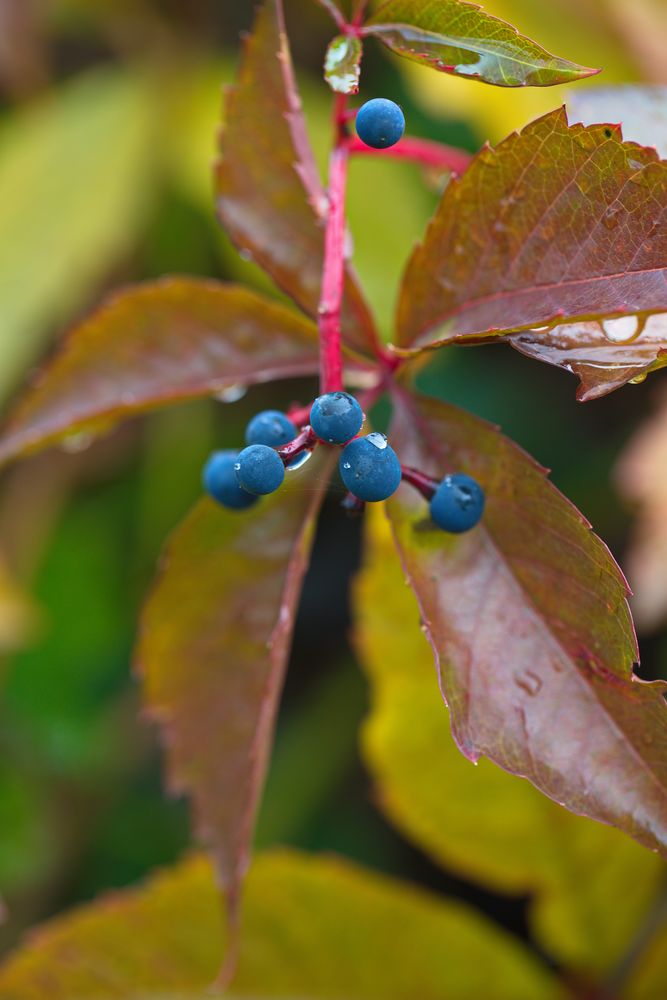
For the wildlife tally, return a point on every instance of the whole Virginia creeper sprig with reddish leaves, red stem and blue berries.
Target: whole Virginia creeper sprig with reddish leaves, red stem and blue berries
(553, 241)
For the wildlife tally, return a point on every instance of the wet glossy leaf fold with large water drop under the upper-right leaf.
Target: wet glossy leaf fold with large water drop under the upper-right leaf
(604, 356)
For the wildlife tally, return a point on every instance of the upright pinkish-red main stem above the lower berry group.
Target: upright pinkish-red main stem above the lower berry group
(331, 360)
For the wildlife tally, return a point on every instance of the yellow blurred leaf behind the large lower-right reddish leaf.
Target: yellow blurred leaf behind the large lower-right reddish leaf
(481, 822)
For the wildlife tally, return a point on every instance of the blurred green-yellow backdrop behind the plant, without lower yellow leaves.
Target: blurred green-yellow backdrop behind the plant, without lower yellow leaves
(108, 116)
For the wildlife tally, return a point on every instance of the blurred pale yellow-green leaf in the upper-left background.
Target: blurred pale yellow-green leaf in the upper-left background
(78, 166)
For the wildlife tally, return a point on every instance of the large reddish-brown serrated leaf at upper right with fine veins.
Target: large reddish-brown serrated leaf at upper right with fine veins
(557, 223)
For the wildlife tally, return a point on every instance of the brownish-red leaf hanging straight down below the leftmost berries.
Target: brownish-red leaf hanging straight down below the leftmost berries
(214, 642)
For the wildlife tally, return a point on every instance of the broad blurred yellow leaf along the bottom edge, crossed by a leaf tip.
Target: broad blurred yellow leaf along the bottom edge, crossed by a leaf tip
(313, 927)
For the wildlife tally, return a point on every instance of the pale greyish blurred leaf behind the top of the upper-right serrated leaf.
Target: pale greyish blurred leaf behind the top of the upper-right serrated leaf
(641, 110)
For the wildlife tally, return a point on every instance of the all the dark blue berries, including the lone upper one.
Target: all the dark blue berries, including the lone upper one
(369, 466)
